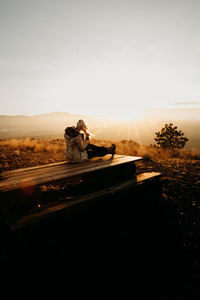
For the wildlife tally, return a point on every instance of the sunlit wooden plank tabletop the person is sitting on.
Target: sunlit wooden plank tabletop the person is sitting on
(43, 174)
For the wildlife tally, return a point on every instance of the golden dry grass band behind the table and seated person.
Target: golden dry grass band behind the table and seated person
(18, 153)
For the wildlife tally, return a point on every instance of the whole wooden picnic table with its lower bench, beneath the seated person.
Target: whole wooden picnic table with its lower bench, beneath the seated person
(109, 175)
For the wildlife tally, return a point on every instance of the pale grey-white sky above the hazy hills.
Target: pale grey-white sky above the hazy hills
(98, 56)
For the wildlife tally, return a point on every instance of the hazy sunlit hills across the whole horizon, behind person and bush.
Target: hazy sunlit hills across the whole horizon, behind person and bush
(104, 127)
